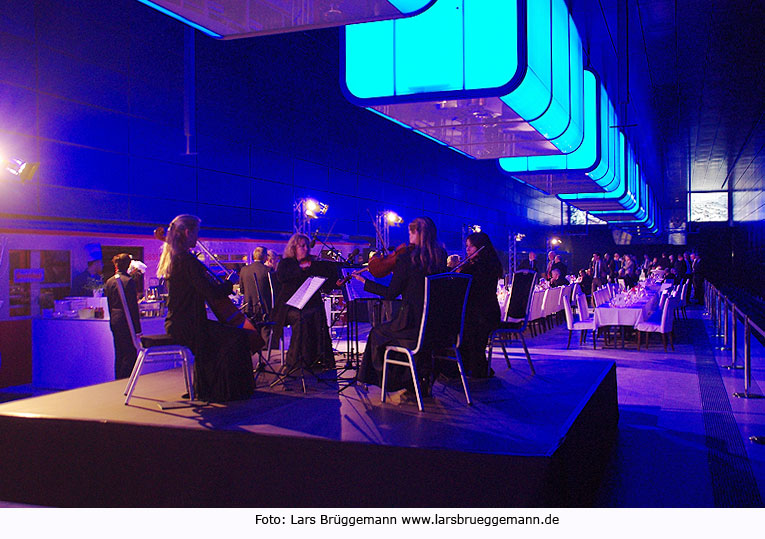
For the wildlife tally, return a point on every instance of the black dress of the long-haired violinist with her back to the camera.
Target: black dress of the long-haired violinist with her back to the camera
(409, 281)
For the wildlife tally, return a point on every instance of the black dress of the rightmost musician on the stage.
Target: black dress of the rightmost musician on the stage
(482, 316)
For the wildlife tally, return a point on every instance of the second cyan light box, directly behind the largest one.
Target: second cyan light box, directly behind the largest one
(567, 173)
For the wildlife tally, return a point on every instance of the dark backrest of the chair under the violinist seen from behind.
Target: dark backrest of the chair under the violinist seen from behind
(443, 312)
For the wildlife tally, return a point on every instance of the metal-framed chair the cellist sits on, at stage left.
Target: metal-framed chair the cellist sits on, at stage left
(155, 349)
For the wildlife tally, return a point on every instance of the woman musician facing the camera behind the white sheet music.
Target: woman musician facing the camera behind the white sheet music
(310, 343)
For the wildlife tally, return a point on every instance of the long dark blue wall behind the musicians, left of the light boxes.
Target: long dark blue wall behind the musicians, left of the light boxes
(95, 91)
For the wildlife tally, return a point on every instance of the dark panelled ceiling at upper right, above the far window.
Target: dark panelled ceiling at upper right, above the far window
(706, 85)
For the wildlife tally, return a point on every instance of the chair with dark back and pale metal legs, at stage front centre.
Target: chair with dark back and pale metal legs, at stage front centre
(443, 317)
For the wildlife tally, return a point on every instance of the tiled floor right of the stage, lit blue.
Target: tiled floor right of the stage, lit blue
(683, 438)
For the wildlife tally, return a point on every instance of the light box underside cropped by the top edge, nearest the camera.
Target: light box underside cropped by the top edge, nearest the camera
(232, 19)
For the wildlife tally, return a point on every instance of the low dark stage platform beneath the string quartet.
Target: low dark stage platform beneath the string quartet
(528, 441)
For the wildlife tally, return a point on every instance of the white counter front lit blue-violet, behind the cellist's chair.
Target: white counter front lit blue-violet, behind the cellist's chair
(70, 353)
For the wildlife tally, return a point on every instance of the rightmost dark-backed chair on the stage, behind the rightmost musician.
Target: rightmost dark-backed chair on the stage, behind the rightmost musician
(517, 316)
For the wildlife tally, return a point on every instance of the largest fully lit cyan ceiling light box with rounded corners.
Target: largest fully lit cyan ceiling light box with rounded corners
(451, 71)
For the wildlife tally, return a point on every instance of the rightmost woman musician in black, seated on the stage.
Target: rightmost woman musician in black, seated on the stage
(482, 313)
